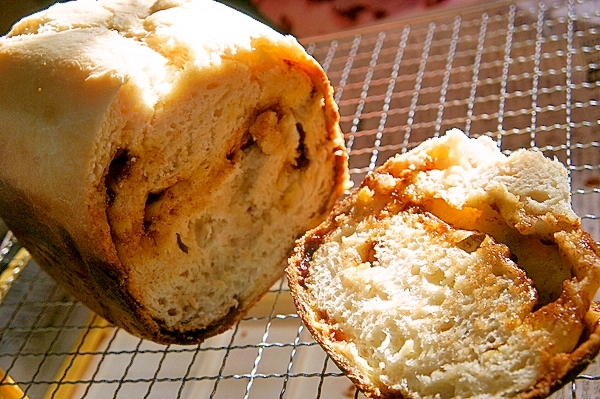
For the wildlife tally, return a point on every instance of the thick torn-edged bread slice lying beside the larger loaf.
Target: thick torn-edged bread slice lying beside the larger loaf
(453, 271)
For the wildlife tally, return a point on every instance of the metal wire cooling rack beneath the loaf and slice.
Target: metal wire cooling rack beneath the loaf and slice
(526, 73)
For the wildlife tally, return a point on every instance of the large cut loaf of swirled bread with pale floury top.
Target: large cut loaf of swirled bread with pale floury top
(160, 158)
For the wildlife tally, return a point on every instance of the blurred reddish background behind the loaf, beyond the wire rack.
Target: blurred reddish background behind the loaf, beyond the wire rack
(302, 18)
